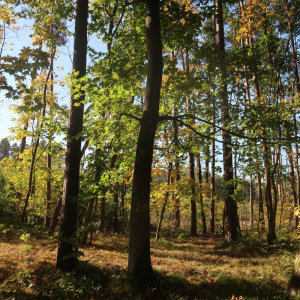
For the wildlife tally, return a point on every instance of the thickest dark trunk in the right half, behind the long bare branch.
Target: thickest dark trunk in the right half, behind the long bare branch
(230, 226)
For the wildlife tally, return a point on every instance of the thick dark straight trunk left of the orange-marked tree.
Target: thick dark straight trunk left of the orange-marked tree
(66, 256)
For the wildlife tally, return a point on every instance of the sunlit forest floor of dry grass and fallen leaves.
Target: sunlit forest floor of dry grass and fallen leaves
(202, 267)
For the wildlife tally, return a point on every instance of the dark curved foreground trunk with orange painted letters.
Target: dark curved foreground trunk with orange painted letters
(139, 263)
